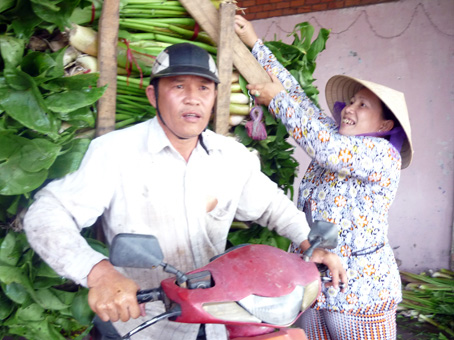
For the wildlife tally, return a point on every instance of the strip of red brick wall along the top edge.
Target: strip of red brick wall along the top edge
(262, 9)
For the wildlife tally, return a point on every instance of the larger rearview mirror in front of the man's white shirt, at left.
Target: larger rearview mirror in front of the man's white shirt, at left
(136, 251)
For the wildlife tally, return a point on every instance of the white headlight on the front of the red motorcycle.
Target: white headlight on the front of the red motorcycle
(280, 311)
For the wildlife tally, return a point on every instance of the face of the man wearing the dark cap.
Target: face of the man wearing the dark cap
(185, 103)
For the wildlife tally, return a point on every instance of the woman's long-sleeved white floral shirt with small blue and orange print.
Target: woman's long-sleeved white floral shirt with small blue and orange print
(351, 182)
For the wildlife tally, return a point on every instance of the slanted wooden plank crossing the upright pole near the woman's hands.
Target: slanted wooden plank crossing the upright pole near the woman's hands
(207, 16)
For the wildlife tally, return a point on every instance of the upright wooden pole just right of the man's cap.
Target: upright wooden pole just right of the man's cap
(225, 64)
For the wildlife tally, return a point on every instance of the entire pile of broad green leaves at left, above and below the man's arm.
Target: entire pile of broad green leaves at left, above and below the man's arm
(45, 117)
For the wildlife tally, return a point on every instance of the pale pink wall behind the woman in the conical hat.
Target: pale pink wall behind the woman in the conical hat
(407, 45)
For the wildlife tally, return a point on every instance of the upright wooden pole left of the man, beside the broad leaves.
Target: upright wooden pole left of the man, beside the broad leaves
(107, 60)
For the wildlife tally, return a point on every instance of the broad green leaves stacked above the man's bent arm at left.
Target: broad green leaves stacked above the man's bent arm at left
(43, 114)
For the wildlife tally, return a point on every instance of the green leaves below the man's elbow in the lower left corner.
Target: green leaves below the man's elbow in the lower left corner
(36, 303)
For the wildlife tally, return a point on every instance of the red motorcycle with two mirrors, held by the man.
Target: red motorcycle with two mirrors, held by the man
(256, 291)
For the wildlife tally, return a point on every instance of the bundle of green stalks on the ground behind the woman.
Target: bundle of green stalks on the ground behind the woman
(429, 297)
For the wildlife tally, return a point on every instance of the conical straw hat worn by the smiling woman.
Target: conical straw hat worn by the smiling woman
(342, 88)
